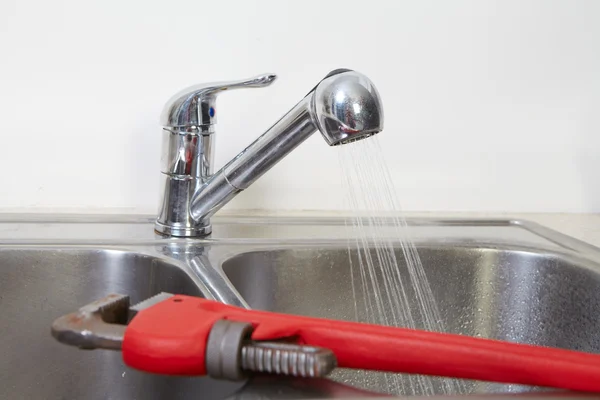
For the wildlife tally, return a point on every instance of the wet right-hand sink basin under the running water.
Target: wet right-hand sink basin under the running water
(508, 293)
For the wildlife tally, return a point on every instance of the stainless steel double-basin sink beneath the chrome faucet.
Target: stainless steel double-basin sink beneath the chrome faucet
(492, 278)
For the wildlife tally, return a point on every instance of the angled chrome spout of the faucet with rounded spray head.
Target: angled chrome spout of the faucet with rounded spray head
(344, 107)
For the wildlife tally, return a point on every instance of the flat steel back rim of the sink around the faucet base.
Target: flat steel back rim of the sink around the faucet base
(134, 230)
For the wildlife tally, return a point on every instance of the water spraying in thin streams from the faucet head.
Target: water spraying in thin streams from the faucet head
(389, 284)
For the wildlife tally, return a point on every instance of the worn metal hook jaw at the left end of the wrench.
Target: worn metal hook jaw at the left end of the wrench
(98, 325)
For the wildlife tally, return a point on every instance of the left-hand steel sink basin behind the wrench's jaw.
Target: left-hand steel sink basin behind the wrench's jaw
(39, 284)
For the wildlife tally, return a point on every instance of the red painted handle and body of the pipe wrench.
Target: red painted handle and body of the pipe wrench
(170, 338)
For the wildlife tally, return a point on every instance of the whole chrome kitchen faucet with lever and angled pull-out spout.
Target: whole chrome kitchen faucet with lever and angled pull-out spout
(345, 107)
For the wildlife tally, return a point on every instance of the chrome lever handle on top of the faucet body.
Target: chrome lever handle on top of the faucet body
(195, 105)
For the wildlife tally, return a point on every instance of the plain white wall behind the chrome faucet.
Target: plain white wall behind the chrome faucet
(490, 105)
